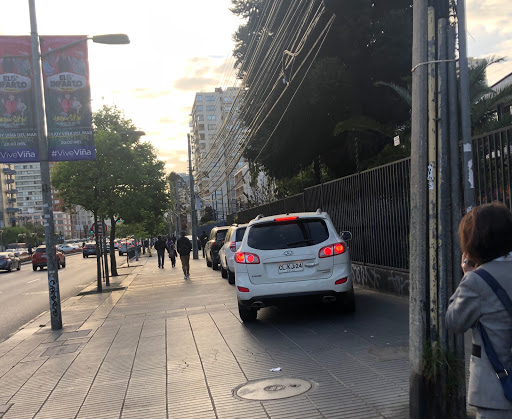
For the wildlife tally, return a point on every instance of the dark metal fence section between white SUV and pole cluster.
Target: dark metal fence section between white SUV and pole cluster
(373, 205)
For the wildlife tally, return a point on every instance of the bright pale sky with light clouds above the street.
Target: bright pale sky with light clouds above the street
(181, 47)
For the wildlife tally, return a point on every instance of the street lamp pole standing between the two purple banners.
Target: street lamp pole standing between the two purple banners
(49, 229)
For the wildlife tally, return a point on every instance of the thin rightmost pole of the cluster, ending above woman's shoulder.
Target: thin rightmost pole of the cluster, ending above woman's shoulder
(465, 113)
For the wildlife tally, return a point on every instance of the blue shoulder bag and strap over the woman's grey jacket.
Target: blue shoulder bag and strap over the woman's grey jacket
(501, 372)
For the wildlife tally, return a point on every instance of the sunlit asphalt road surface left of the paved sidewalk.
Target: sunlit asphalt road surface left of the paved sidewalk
(24, 293)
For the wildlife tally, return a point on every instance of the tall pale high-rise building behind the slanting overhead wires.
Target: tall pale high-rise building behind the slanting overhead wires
(212, 125)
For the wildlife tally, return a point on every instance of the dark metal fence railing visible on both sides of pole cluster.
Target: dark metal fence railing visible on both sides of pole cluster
(374, 205)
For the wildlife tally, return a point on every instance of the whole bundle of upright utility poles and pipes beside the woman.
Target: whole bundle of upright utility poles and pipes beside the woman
(437, 385)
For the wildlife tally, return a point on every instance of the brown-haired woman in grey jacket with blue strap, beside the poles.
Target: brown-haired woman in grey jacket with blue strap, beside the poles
(485, 235)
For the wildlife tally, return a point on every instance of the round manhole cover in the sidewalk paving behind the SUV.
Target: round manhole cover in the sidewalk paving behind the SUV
(272, 388)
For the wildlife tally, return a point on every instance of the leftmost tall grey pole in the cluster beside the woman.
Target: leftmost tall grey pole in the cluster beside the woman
(418, 230)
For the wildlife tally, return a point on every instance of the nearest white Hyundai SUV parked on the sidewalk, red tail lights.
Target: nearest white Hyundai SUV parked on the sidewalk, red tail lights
(293, 256)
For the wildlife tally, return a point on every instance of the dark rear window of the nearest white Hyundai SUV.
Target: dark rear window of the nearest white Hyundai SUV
(300, 233)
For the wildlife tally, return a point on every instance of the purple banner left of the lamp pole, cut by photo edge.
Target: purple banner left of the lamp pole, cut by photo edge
(18, 130)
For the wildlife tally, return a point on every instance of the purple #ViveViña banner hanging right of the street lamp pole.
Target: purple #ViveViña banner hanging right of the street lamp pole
(67, 98)
